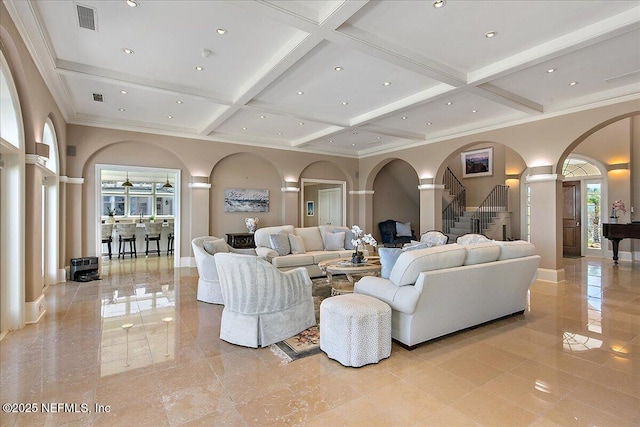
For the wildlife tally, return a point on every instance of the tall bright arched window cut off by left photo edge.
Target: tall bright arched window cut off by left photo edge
(12, 204)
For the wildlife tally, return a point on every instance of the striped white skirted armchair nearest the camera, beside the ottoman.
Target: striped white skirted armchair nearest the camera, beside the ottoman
(262, 305)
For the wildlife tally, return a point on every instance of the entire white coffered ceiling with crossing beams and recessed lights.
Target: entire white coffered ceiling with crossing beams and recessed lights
(351, 78)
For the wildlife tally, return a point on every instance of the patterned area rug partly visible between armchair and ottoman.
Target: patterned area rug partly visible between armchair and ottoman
(307, 342)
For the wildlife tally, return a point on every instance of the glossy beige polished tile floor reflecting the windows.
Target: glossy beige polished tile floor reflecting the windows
(139, 346)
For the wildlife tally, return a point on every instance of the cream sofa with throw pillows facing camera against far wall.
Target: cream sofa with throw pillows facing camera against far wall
(314, 244)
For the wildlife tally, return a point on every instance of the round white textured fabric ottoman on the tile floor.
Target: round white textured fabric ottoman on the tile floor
(355, 329)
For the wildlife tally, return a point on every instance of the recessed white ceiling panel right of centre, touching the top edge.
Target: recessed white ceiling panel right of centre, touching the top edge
(454, 35)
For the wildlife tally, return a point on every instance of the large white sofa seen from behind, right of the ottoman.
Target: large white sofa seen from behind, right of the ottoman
(443, 289)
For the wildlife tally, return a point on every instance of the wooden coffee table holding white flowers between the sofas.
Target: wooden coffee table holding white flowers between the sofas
(352, 272)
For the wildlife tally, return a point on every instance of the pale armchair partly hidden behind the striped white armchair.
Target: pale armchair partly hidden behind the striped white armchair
(204, 250)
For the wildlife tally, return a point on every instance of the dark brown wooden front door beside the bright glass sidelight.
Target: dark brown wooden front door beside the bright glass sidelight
(571, 214)
